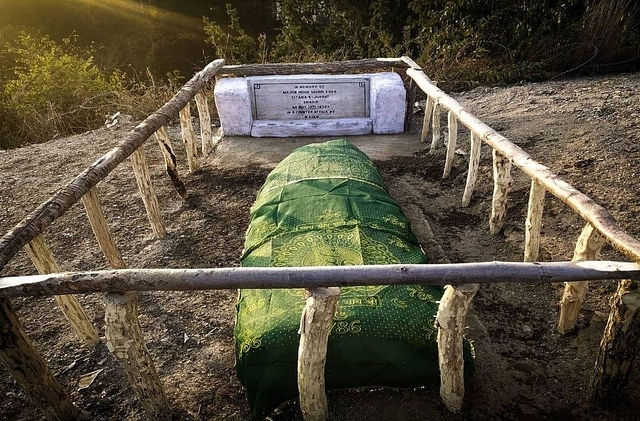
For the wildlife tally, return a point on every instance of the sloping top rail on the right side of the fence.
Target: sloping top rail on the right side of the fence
(586, 207)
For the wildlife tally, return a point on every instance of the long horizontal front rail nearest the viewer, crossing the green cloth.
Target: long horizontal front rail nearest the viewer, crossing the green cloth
(312, 277)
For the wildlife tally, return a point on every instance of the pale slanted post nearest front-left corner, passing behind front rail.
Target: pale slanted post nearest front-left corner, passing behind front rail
(43, 260)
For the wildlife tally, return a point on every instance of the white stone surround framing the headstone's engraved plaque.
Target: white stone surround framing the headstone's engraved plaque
(386, 108)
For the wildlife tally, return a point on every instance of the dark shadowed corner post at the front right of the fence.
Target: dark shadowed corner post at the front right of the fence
(619, 346)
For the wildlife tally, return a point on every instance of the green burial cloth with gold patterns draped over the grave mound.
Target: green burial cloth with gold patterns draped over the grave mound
(326, 205)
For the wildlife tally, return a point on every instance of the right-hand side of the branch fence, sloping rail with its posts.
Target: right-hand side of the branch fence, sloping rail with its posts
(620, 344)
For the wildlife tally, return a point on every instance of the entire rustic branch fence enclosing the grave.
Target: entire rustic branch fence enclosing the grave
(124, 336)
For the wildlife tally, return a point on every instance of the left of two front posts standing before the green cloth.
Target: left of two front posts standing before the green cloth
(312, 352)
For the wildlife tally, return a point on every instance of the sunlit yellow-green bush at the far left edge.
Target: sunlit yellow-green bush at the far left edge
(54, 90)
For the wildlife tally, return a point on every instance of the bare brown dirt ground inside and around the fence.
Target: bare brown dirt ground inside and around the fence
(587, 130)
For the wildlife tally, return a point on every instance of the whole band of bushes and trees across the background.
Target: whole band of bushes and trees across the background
(50, 88)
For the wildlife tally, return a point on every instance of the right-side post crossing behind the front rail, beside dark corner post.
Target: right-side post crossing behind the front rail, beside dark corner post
(587, 248)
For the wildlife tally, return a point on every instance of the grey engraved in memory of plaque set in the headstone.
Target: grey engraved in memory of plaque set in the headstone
(309, 99)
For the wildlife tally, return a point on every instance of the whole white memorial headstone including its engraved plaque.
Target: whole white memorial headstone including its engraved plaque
(311, 105)
